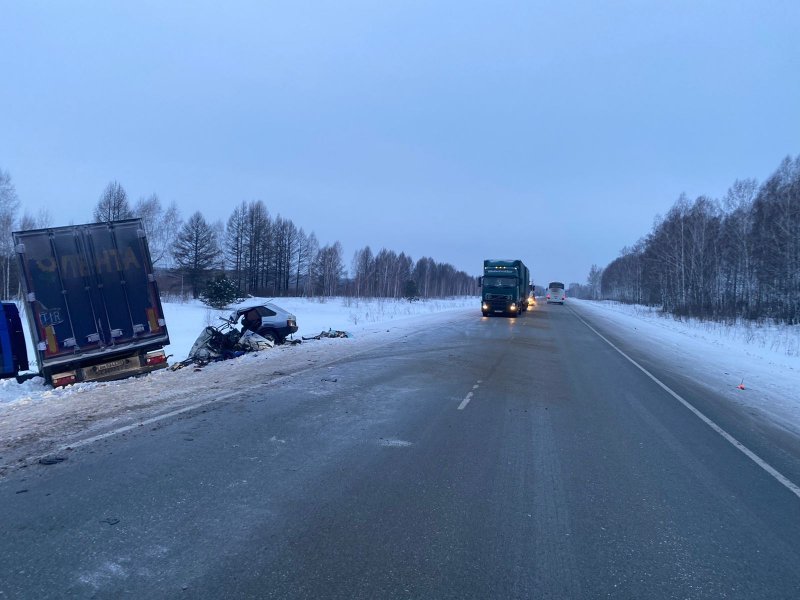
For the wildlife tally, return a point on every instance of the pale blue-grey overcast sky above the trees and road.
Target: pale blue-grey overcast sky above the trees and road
(549, 131)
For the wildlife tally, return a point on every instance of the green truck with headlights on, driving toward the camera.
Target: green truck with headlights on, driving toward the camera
(504, 287)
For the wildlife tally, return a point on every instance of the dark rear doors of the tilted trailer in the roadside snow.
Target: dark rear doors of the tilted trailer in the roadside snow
(90, 292)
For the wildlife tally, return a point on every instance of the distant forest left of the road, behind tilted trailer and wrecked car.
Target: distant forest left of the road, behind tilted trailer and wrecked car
(256, 253)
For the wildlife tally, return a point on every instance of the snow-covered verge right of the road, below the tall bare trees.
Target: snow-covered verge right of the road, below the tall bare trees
(764, 360)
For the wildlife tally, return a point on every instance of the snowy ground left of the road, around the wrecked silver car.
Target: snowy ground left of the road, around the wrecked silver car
(36, 419)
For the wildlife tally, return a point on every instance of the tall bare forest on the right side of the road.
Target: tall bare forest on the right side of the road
(734, 258)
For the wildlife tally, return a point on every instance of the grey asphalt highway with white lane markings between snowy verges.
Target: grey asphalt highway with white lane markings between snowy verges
(493, 458)
